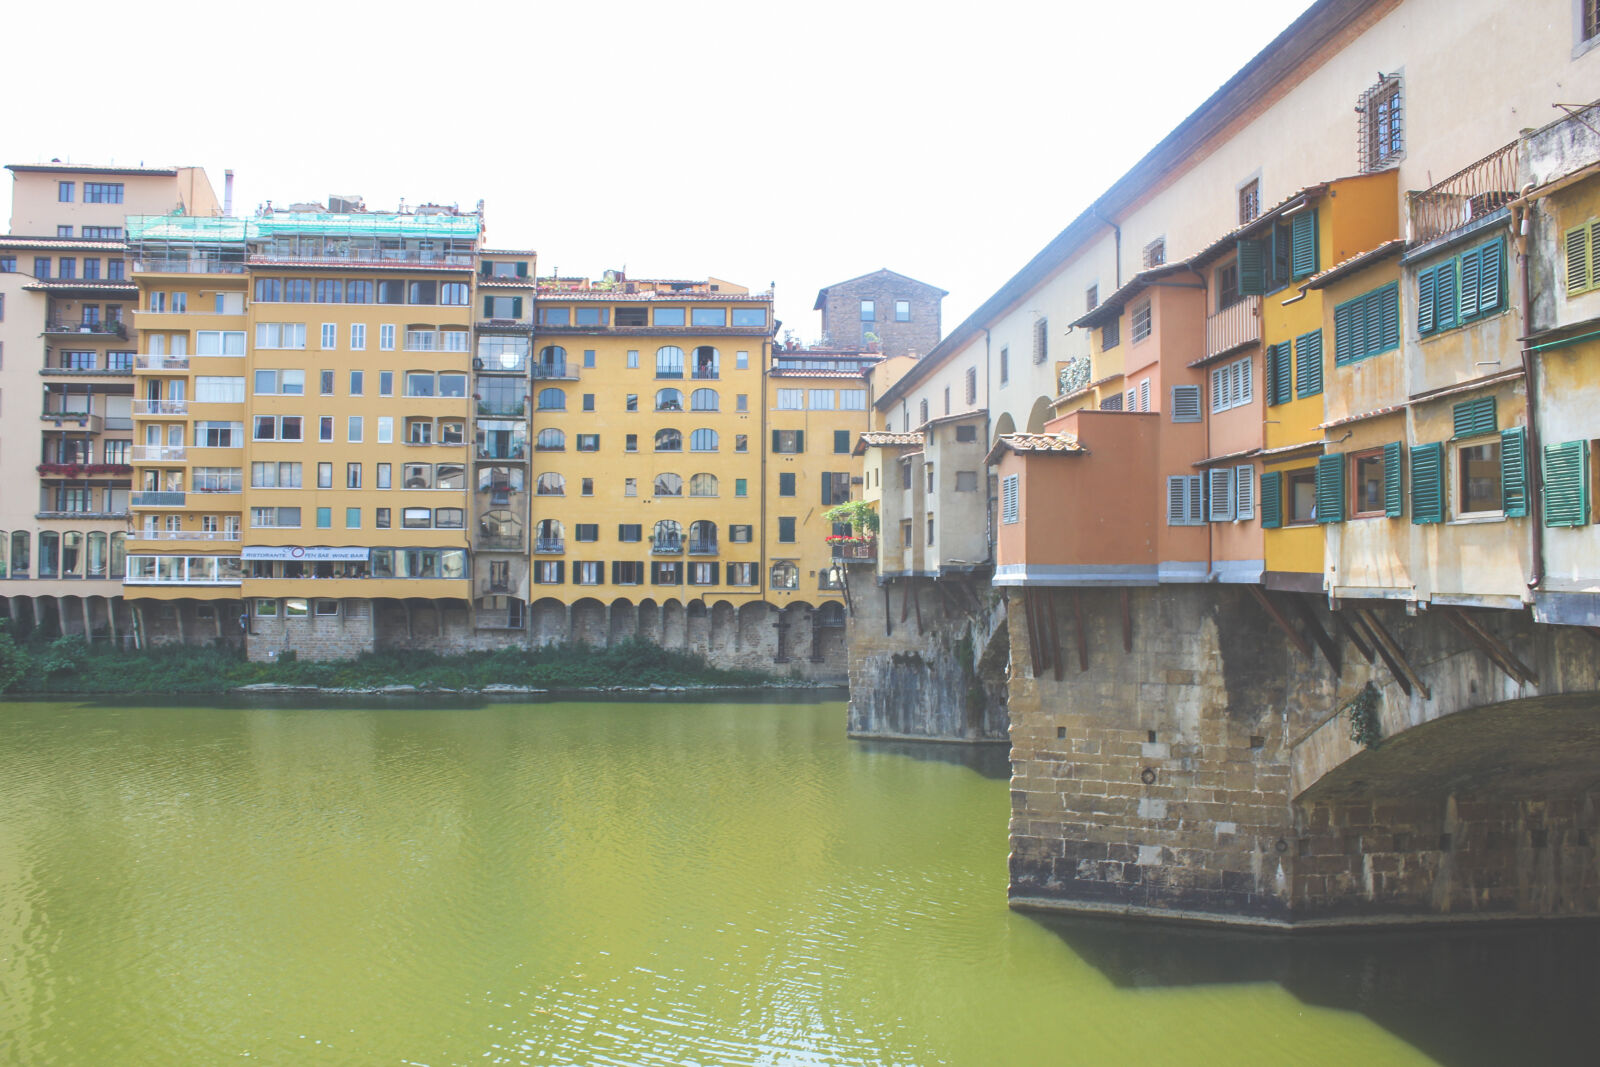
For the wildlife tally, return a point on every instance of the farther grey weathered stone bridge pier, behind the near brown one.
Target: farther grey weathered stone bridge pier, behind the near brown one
(940, 673)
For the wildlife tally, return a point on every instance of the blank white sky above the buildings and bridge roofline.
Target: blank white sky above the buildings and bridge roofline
(799, 145)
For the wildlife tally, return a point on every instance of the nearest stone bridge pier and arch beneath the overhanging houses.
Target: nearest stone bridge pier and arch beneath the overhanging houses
(1186, 751)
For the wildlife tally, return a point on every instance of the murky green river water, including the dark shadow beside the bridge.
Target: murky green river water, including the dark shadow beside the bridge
(642, 884)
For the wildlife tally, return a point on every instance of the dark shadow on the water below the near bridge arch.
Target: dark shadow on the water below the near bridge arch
(1465, 996)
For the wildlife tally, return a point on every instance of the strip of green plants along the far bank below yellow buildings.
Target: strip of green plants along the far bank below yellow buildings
(70, 666)
